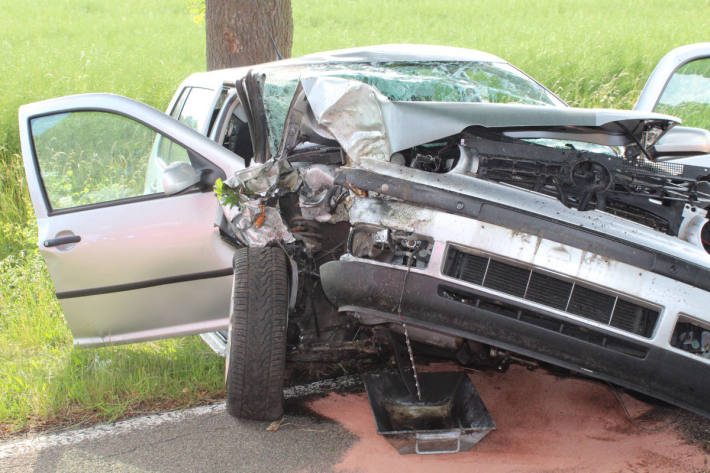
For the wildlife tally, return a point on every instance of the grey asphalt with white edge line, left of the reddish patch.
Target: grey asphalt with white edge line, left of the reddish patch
(203, 439)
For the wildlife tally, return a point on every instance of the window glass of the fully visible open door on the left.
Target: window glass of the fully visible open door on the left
(89, 157)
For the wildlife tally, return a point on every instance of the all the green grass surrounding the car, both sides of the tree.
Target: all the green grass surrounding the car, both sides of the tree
(592, 53)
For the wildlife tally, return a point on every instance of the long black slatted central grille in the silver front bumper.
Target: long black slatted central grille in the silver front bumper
(551, 291)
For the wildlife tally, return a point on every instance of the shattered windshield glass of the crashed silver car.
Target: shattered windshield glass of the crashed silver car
(487, 82)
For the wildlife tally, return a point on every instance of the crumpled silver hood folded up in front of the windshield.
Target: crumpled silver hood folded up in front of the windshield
(369, 125)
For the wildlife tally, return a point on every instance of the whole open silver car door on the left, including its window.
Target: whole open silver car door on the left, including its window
(126, 217)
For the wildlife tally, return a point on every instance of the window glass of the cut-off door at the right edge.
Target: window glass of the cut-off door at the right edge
(687, 94)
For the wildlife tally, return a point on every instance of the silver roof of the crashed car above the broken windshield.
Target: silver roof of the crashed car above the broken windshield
(377, 53)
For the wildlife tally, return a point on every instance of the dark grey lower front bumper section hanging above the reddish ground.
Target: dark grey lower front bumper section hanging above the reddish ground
(463, 310)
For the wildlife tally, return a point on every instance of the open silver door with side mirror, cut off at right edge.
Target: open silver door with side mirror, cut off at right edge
(680, 86)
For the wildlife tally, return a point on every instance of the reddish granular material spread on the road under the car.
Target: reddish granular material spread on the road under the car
(545, 424)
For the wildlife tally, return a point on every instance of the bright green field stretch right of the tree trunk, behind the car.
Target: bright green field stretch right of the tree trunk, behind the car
(592, 53)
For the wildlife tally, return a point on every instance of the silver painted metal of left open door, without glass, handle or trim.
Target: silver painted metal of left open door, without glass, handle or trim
(133, 242)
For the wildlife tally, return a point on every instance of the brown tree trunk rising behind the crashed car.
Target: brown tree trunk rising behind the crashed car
(239, 32)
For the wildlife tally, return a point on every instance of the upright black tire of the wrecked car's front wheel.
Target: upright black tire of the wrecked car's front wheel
(256, 346)
